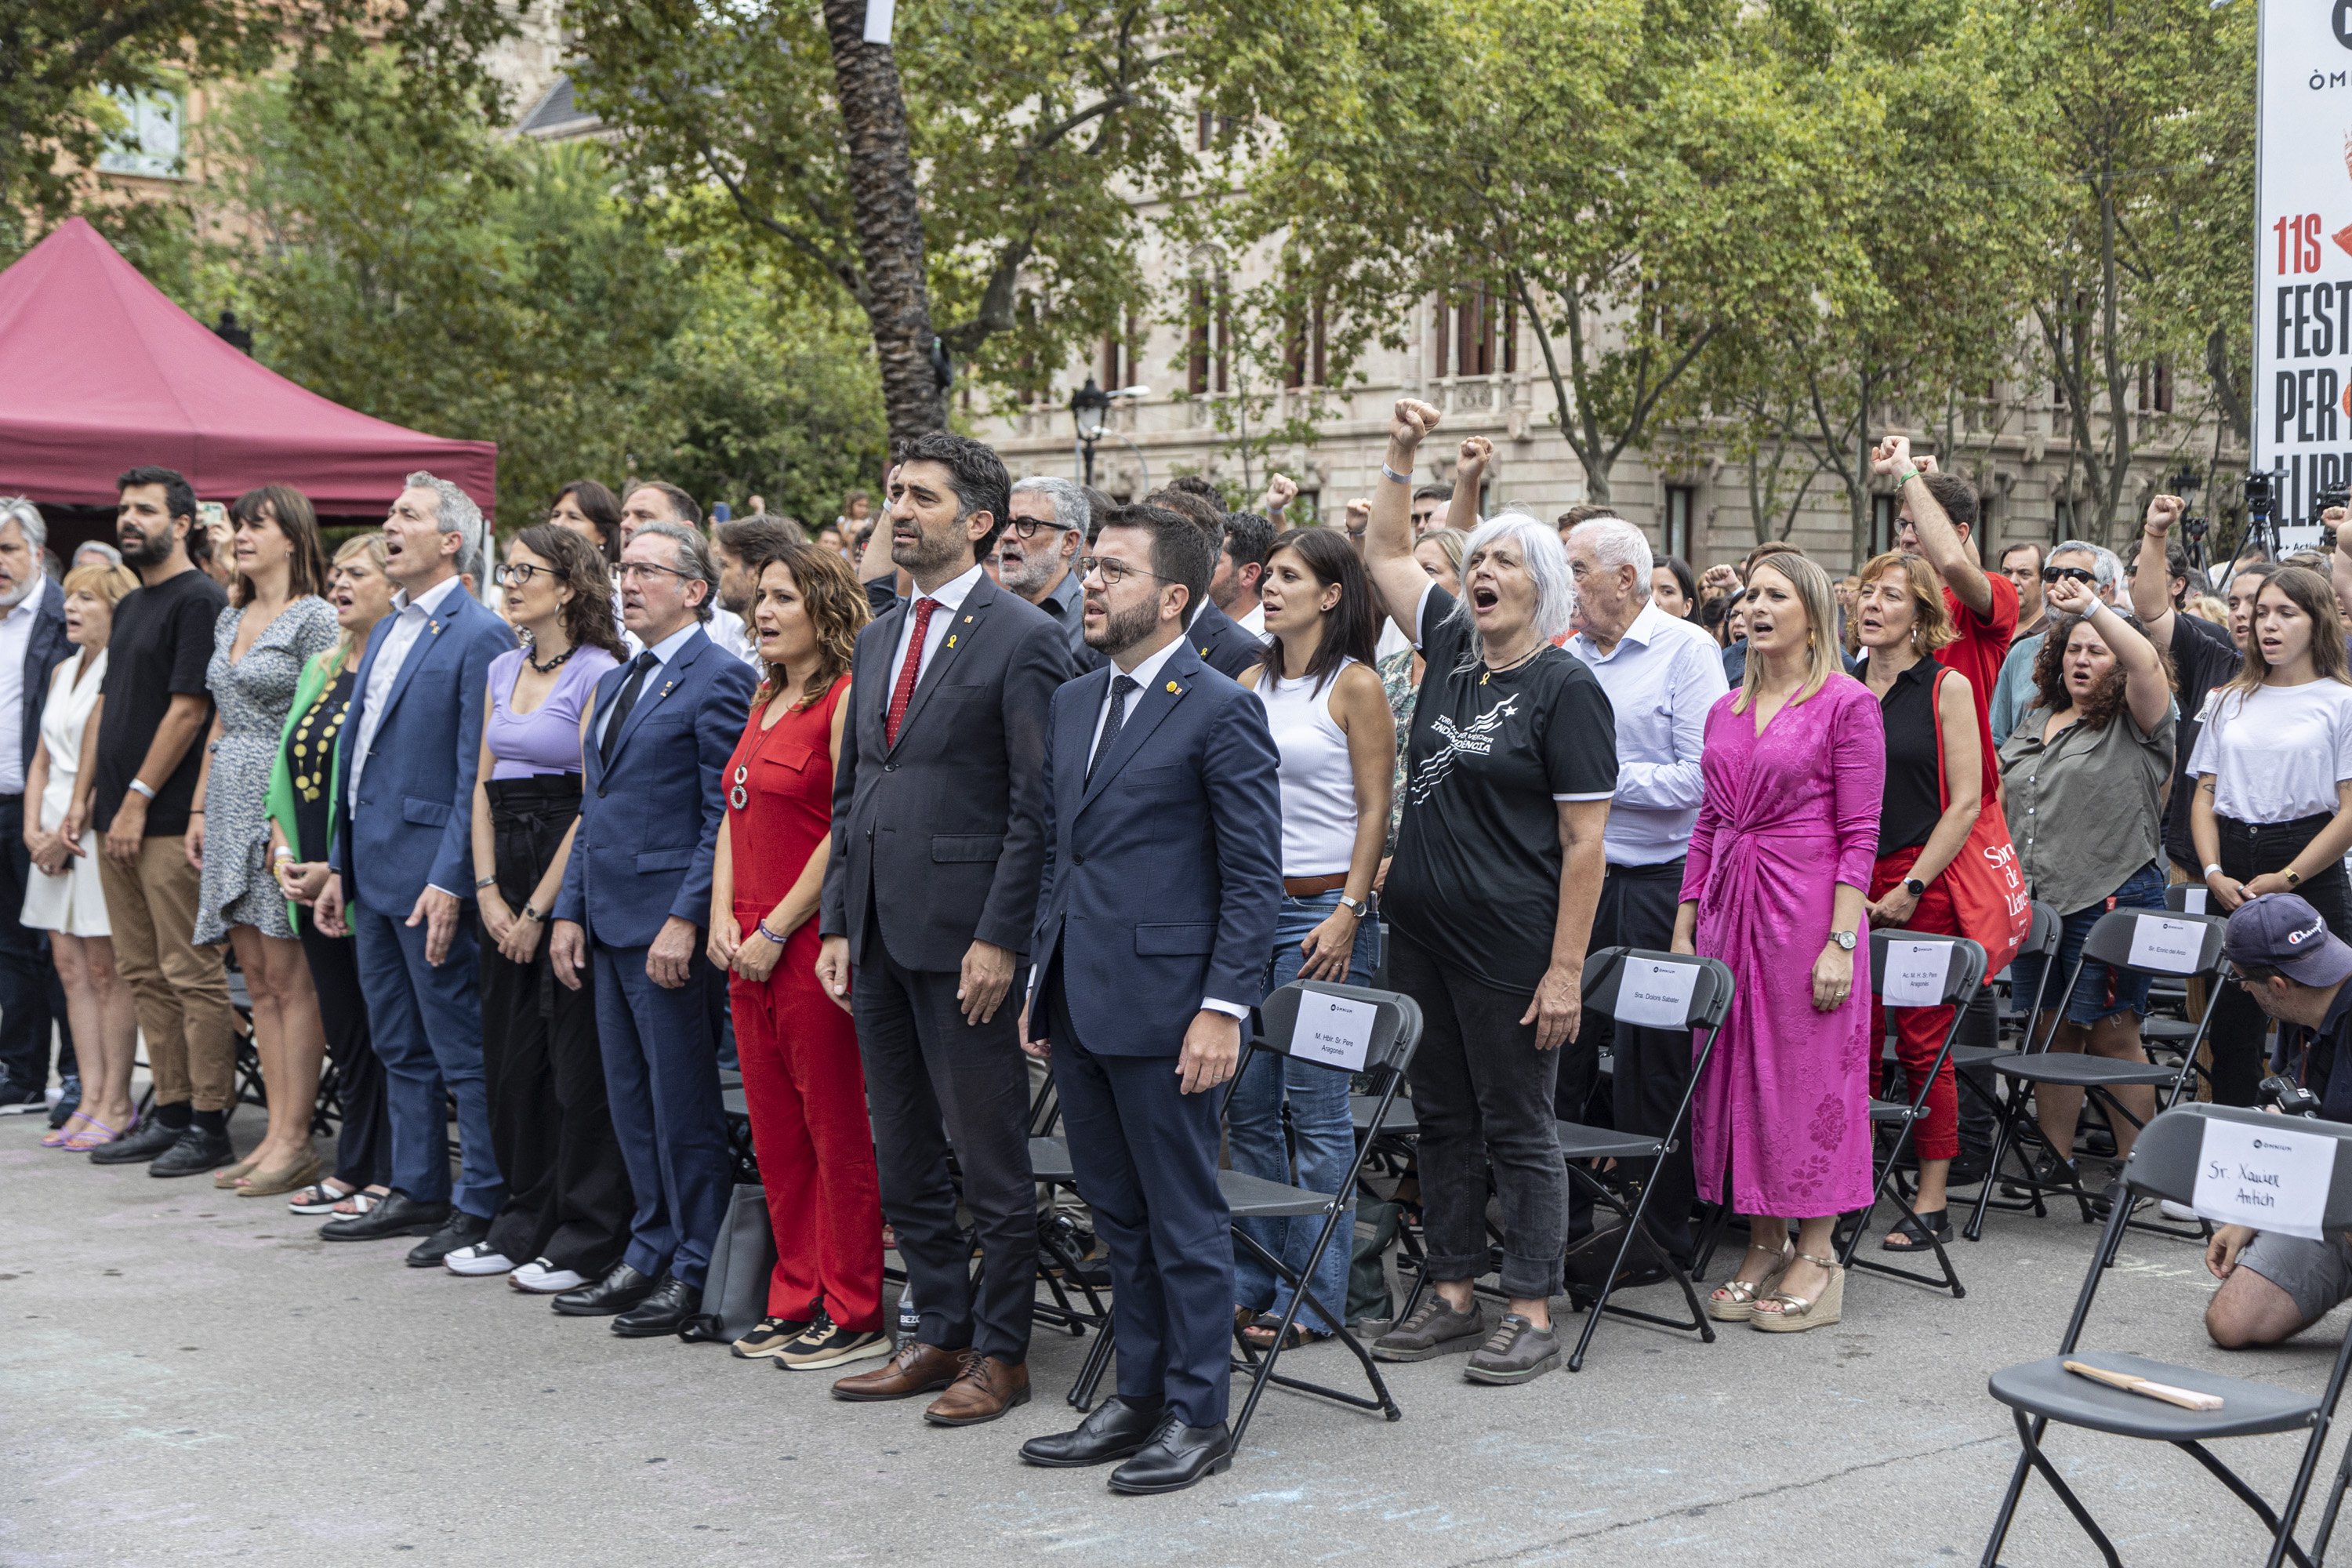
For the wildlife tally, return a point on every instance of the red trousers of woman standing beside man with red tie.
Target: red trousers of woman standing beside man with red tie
(813, 1137)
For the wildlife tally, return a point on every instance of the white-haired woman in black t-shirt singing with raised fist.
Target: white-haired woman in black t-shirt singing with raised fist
(1490, 899)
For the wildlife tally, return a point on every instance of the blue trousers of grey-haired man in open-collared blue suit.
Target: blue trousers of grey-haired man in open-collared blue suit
(427, 1026)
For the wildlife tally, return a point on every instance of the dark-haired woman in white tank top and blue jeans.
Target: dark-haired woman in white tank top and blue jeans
(1339, 742)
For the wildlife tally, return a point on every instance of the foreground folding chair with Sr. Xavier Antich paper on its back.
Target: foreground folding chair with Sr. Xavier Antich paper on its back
(2040, 1393)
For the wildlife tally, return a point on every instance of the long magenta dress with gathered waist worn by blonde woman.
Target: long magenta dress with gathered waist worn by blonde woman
(1786, 817)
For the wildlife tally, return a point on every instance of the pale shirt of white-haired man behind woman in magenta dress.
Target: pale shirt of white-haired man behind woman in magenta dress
(1662, 681)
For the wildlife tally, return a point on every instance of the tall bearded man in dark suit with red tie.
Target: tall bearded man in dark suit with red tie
(930, 899)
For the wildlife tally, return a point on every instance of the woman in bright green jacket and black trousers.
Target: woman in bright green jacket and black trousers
(302, 789)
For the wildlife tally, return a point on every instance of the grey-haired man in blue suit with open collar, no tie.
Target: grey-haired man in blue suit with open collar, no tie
(401, 866)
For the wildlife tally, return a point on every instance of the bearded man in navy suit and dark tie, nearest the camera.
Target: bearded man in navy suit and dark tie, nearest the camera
(1158, 909)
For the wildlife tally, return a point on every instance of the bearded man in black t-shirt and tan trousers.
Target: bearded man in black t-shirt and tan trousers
(152, 716)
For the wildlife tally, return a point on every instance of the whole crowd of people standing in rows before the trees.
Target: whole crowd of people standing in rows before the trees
(1010, 782)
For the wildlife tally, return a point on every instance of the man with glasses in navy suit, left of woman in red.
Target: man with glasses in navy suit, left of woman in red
(636, 899)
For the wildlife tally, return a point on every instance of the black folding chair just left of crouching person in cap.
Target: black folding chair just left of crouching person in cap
(2177, 946)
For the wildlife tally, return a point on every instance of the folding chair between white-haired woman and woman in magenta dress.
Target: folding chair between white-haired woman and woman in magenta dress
(1702, 993)
